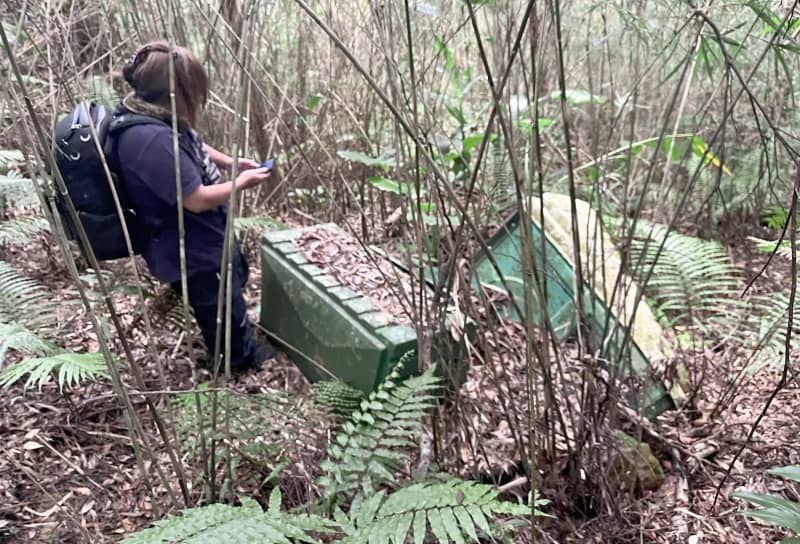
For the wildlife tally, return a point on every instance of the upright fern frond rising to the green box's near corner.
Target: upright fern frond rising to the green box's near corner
(377, 437)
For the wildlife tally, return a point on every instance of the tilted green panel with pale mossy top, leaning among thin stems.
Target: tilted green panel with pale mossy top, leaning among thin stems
(553, 255)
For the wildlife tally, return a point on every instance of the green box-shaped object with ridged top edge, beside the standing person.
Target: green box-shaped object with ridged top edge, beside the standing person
(327, 329)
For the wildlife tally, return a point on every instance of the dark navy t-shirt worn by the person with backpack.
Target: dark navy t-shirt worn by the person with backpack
(146, 163)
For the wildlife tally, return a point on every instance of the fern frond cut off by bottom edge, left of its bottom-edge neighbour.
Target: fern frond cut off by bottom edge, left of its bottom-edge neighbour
(222, 524)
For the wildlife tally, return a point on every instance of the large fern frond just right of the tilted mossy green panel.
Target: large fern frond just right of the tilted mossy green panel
(693, 279)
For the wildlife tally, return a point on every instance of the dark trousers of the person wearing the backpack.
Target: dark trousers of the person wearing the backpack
(203, 293)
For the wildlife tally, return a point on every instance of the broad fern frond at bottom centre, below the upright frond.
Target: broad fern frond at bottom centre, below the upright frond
(454, 511)
